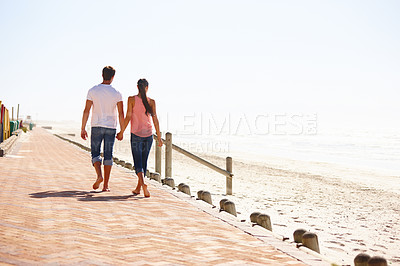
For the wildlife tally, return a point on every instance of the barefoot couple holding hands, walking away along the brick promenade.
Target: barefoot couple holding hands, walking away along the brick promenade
(107, 108)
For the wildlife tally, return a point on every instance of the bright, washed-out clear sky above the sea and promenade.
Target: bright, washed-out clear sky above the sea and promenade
(328, 57)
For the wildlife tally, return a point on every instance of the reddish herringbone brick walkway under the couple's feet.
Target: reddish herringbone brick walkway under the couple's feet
(50, 215)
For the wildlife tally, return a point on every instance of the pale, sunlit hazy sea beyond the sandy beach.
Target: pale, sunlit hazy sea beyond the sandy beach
(307, 139)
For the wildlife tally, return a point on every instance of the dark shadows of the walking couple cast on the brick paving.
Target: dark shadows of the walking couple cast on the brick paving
(80, 195)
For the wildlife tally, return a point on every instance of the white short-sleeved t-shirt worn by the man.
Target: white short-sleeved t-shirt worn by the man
(105, 99)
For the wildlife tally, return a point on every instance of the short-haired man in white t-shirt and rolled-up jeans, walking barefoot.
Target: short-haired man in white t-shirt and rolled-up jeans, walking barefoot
(105, 101)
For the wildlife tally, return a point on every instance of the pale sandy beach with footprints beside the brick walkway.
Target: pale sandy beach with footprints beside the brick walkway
(349, 217)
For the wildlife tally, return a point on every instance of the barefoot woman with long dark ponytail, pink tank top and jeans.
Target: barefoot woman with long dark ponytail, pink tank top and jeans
(140, 109)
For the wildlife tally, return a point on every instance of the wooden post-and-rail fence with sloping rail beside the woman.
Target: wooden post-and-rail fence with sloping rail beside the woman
(169, 146)
